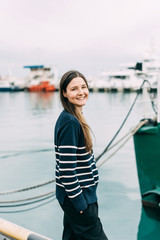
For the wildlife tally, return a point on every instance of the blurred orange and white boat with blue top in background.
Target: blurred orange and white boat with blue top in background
(40, 79)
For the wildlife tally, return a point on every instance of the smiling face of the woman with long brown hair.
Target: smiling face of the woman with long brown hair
(77, 92)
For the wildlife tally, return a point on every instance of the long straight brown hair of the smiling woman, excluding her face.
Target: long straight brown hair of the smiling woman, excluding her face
(69, 107)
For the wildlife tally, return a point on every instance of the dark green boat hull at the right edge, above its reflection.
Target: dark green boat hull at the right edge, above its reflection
(147, 151)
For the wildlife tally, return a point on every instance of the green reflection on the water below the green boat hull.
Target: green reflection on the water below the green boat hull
(149, 226)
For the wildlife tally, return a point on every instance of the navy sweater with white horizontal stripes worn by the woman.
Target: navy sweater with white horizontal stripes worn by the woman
(76, 172)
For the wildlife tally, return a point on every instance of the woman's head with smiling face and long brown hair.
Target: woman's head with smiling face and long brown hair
(67, 86)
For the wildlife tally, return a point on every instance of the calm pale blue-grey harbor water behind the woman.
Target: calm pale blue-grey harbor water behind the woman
(27, 158)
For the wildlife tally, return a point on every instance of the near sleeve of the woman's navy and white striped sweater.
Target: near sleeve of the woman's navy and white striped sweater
(67, 148)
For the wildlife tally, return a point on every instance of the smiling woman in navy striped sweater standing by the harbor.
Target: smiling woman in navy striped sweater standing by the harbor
(76, 172)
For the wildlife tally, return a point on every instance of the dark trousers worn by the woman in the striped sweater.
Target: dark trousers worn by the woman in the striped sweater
(85, 226)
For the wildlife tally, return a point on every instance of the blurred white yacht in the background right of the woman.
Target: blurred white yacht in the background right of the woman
(129, 78)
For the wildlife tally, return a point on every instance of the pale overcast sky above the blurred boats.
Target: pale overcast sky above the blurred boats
(88, 35)
